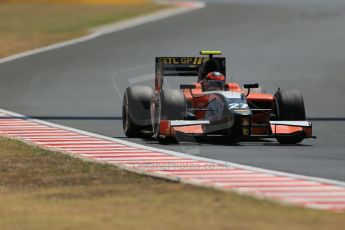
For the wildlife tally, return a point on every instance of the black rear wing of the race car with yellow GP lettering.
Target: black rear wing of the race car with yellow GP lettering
(186, 67)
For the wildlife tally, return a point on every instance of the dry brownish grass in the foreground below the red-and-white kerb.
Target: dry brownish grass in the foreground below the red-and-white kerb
(40, 189)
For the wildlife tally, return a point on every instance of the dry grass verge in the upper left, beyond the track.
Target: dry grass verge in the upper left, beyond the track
(25, 26)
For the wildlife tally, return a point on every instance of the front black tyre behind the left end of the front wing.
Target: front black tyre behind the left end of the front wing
(170, 105)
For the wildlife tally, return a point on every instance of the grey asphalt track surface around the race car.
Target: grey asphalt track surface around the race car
(292, 44)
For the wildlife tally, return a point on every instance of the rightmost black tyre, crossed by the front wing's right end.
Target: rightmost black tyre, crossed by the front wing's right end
(290, 107)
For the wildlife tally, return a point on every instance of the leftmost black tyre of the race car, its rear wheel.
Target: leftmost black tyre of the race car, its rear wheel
(136, 118)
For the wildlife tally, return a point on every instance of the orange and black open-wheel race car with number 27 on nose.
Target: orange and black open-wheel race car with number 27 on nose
(211, 106)
